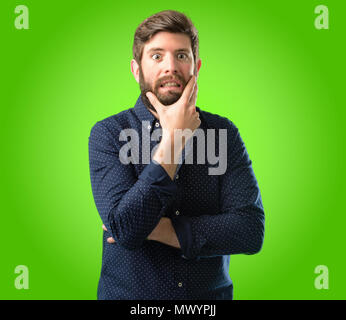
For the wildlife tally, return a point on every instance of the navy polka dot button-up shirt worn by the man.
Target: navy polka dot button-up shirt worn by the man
(213, 216)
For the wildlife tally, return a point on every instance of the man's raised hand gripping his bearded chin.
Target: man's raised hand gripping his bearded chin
(179, 115)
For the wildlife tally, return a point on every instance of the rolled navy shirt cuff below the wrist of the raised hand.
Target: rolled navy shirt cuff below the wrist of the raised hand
(158, 178)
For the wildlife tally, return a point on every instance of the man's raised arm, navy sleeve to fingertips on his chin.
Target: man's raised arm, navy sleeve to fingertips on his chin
(132, 208)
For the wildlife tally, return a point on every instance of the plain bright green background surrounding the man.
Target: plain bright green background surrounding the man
(264, 66)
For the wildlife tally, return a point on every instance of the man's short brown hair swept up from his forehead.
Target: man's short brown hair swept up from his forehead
(169, 21)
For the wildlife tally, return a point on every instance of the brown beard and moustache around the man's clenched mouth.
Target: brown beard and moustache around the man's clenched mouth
(166, 99)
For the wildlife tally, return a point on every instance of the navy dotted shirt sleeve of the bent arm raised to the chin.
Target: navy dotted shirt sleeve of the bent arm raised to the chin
(129, 206)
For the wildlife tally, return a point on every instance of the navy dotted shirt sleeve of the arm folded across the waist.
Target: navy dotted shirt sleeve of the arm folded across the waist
(239, 227)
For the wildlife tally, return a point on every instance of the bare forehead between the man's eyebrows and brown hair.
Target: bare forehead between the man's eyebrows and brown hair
(168, 41)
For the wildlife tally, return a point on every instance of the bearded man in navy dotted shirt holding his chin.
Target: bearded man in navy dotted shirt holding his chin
(171, 226)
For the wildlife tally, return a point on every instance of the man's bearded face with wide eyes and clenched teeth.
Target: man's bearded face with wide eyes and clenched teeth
(167, 65)
